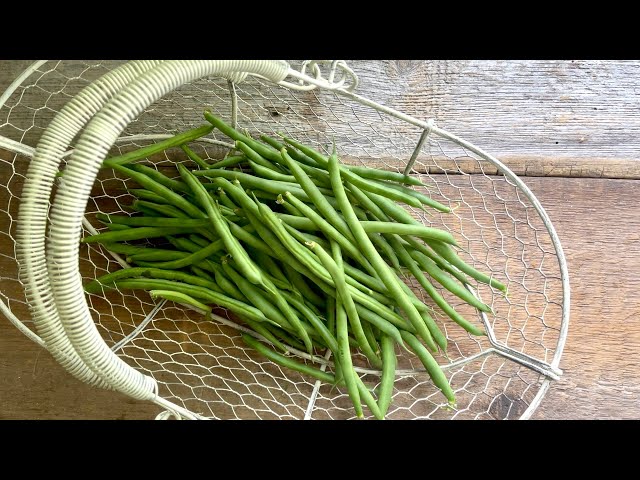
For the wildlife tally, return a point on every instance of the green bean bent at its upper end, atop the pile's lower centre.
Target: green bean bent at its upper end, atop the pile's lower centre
(345, 297)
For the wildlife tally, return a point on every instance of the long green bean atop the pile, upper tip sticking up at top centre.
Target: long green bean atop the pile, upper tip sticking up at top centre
(384, 272)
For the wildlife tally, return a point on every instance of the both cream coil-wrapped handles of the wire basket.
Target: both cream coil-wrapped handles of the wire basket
(67, 304)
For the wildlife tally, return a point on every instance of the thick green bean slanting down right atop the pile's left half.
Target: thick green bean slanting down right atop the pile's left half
(245, 264)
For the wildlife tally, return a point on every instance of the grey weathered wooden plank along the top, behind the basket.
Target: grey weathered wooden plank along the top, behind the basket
(565, 118)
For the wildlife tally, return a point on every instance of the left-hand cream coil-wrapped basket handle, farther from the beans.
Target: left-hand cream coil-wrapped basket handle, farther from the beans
(34, 209)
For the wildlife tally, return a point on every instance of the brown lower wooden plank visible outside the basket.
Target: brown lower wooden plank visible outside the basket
(598, 224)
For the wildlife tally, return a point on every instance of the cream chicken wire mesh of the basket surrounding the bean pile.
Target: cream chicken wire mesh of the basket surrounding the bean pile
(203, 365)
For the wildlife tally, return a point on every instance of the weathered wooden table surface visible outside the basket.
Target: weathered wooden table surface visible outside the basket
(571, 128)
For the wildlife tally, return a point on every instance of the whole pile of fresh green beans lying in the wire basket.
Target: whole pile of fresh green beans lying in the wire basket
(306, 251)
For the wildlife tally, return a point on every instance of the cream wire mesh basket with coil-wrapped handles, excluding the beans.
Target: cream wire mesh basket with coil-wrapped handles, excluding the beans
(198, 368)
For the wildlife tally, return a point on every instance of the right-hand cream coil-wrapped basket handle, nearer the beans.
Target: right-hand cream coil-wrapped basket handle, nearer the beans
(70, 202)
